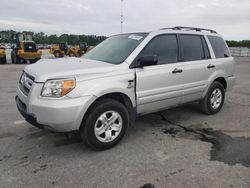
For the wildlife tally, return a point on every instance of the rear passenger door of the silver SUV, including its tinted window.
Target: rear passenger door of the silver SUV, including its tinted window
(196, 66)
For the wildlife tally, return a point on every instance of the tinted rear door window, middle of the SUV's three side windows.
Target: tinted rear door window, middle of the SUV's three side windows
(192, 47)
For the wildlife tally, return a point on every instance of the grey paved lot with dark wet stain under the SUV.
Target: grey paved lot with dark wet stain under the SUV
(178, 148)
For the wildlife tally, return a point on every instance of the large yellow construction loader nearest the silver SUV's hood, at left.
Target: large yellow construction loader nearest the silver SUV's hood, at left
(25, 50)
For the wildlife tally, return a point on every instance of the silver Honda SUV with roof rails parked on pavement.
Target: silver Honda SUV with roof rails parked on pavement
(127, 75)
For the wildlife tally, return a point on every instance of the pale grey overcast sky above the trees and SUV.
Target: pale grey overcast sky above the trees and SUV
(231, 18)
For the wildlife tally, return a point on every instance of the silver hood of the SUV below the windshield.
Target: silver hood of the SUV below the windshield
(67, 67)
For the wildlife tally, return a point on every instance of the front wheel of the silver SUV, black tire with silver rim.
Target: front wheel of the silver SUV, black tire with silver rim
(97, 135)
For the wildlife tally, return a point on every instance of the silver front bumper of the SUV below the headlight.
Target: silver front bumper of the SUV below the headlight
(57, 115)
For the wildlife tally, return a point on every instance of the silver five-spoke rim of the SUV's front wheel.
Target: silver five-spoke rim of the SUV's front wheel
(108, 126)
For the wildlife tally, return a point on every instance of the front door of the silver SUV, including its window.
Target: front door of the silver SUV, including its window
(159, 86)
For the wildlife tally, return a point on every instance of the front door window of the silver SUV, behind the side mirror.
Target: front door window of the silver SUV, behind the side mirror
(165, 47)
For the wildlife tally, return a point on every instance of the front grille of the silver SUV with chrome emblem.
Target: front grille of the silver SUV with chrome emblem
(25, 83)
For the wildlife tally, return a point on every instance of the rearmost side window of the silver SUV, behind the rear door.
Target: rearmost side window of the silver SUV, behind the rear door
(219, 47)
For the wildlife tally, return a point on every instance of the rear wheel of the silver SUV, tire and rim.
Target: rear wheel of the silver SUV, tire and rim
(214, 99)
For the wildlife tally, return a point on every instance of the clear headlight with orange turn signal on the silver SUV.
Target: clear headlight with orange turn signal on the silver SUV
(58, 88)
